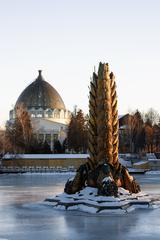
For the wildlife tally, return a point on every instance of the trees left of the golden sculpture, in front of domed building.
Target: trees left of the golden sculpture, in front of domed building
(19, 136)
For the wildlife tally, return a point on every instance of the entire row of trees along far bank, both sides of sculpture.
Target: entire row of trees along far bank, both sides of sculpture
(138, 133)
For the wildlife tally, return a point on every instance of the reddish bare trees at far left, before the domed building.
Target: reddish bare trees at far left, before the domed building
(19, 136)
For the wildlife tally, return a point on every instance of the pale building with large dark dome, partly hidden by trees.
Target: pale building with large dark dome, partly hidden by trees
(48, 113)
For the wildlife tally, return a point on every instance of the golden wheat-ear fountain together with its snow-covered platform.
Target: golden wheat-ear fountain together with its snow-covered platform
(102, 185)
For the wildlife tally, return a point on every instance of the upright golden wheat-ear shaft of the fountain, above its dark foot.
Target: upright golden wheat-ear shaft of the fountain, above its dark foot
(103, 118)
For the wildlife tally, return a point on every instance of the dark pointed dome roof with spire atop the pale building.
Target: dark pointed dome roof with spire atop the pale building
(40, 94)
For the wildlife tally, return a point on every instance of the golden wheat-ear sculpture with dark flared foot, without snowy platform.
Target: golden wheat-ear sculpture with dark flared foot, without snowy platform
(103, 142)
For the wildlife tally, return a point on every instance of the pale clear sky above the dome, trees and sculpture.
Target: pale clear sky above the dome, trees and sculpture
(68, 38)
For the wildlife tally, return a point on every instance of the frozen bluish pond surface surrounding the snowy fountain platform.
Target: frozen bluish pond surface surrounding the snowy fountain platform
(24, 216)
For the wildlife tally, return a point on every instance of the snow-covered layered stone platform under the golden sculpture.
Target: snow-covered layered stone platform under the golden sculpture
(87, 200)
